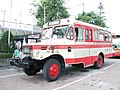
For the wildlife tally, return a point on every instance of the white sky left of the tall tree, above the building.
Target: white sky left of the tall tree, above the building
(20, 12)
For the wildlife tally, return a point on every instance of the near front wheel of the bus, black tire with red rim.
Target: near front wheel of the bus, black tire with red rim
(51, 70)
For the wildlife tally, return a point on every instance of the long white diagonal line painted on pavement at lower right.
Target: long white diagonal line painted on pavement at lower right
(68, 84)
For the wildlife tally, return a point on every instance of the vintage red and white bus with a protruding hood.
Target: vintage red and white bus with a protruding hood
(66, 42)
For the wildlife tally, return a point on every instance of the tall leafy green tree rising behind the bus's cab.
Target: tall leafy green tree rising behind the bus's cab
(50, 10)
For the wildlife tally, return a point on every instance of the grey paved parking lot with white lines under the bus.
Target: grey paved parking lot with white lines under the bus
(106, 78)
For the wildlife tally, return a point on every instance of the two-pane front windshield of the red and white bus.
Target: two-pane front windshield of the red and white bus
(58, 31)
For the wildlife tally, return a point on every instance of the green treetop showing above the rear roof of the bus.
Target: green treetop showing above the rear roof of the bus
(92, 18)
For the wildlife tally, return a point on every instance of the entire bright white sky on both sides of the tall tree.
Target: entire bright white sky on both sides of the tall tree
(20, 11)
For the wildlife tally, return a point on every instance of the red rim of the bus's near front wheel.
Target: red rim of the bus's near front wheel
(54, 69)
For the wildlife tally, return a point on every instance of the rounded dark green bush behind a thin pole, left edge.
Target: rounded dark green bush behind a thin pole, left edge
(4, 47)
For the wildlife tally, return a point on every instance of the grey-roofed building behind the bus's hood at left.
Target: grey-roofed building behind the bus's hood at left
(20, 34)
